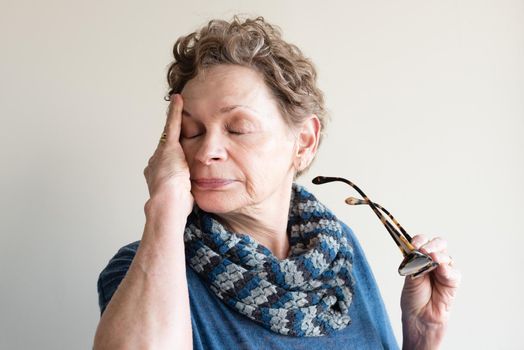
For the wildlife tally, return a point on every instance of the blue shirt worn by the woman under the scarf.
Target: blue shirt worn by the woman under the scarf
(218, 326)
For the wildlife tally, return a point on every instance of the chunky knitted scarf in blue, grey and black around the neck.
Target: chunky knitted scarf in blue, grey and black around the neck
(307, 294)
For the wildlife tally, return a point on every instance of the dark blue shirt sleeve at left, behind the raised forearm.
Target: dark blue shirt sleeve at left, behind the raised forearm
(114, 272)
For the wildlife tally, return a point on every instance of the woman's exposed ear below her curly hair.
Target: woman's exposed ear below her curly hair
(307, 142)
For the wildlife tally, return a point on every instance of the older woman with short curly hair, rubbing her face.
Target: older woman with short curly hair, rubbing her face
(235, 254)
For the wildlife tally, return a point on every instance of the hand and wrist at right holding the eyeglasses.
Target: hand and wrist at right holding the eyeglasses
(426, 301)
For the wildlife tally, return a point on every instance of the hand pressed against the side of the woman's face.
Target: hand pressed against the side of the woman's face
(167, 173)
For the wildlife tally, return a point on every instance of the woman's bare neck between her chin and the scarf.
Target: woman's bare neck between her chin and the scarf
(265, 222)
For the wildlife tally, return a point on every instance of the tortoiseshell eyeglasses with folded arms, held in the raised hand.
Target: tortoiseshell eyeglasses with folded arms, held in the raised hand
(415, 263)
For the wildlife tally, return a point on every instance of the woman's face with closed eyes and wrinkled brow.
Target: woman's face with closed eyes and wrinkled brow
(239, 150)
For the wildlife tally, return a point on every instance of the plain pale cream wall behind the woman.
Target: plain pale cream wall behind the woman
(427, 108)
